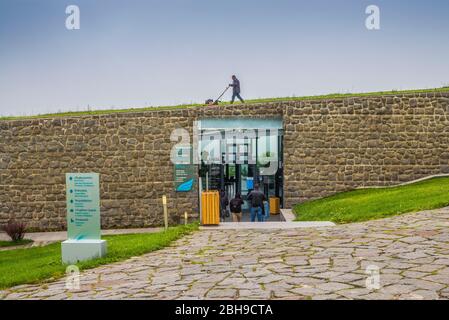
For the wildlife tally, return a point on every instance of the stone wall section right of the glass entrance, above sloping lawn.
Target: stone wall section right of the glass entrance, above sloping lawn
(342, 144)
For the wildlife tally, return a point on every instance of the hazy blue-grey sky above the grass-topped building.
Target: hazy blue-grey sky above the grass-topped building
(136, 53)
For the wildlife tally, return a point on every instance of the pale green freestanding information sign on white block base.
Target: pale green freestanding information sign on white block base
(83, 219)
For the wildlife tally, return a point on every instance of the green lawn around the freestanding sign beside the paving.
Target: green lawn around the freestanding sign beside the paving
(33, 265)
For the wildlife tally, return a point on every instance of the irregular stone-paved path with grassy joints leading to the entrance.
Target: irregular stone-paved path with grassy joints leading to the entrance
(412, 252)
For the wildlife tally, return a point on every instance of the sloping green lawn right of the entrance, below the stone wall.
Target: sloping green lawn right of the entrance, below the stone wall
(369, 204)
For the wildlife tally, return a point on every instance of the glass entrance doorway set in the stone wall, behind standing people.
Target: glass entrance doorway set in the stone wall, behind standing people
(237, 155)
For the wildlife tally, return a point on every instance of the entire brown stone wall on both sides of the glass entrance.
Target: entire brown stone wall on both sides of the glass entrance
(329, 146)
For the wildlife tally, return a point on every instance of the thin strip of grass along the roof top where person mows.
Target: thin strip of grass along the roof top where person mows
(252, 101)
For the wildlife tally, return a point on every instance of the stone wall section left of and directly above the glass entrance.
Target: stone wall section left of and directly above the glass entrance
(131, 151)
